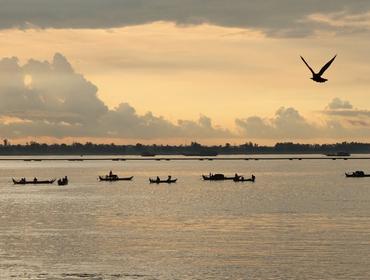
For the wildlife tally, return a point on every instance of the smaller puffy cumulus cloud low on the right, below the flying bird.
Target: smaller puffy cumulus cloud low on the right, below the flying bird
(340, 120)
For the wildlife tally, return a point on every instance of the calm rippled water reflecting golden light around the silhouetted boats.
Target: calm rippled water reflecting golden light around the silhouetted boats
(299, 220)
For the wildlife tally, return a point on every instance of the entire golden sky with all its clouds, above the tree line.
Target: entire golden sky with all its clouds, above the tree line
(175, 71)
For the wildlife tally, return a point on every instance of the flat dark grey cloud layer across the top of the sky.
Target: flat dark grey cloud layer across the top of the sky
(276, 18)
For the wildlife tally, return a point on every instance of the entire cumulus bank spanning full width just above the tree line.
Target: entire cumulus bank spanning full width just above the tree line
(49, 99)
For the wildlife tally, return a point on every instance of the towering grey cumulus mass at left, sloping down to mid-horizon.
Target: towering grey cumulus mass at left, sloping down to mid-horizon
(50, 99)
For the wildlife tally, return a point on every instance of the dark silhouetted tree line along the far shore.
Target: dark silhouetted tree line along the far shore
(89, 148)
